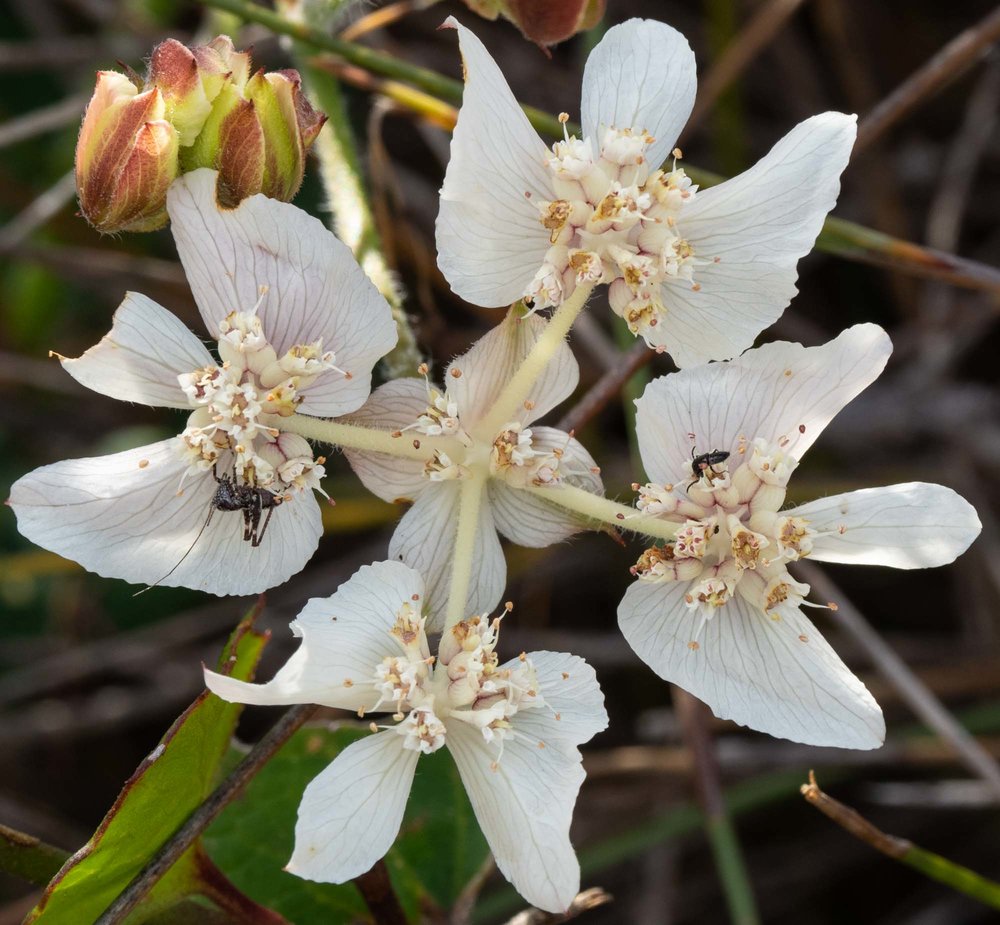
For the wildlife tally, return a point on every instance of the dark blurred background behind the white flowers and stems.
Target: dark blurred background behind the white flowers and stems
(90, 678)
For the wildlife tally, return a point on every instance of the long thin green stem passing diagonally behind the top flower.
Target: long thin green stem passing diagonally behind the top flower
(845, 239)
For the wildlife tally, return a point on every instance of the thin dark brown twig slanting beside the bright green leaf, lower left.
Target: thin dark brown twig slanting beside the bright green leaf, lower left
(200, 819)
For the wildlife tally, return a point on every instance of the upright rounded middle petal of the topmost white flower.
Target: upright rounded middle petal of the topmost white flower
(641, 75)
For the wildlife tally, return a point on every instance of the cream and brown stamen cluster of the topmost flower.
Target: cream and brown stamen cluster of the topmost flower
(614, 221)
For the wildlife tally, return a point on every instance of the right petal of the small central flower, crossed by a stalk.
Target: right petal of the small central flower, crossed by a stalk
(528, 520)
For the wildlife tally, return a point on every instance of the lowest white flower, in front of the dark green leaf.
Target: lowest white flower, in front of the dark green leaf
(512, 728)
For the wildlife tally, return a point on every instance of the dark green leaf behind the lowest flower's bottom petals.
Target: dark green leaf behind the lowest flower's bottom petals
(439, 848)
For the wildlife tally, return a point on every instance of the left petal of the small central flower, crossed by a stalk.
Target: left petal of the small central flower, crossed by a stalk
(391, 407)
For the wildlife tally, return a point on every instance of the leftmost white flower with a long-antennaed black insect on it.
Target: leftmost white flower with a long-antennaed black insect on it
(299, 328)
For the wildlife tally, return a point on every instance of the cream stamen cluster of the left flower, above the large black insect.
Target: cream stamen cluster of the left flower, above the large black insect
(230, 399)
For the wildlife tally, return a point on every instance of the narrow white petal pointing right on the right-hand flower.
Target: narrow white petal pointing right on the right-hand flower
(914, 525)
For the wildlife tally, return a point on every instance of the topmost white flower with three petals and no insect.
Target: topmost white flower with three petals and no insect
(698, 273)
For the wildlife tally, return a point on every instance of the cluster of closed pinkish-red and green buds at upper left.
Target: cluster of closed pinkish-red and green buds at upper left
(200, 107)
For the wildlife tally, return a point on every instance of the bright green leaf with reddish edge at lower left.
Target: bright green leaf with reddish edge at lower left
(165, 789)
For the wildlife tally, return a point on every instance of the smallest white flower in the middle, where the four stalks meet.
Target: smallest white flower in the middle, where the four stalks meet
(505, 462)
